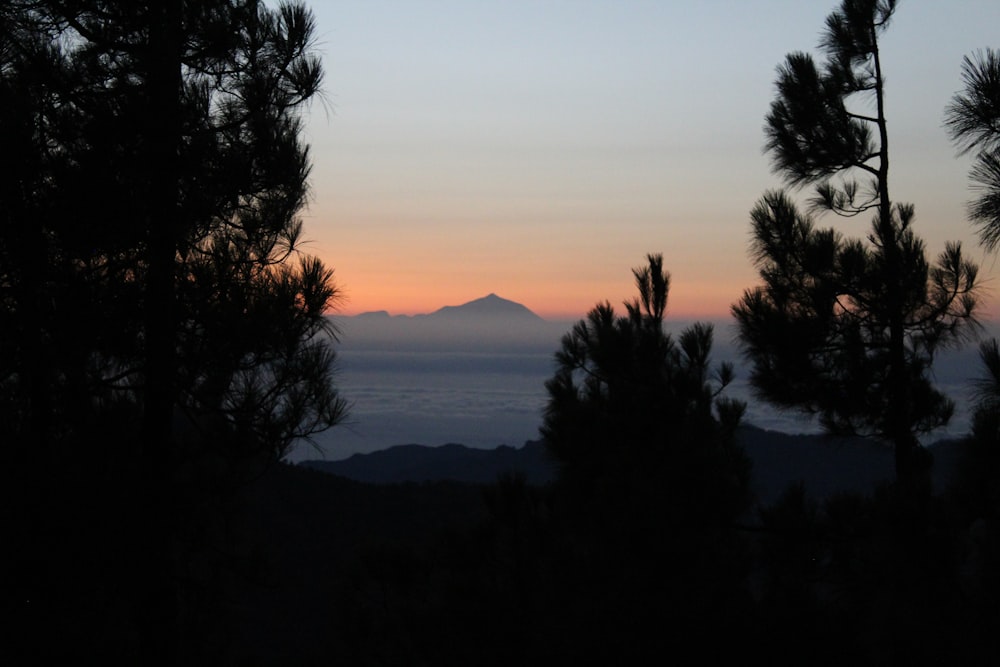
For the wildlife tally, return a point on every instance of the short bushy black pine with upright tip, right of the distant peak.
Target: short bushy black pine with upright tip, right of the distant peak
(650, 482)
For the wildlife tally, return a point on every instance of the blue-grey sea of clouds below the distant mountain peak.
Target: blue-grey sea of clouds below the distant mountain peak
(432, 393)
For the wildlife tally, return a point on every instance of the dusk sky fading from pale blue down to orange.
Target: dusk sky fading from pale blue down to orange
(541, 149)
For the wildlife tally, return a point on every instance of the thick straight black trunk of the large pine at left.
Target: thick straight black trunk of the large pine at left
(156, 583)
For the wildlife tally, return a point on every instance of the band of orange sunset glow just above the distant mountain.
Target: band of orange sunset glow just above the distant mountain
(553, 287)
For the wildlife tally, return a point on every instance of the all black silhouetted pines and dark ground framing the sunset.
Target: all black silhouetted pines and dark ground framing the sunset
(163, 342)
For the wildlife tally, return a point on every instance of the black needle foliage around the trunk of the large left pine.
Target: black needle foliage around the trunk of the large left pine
(247, 308)
